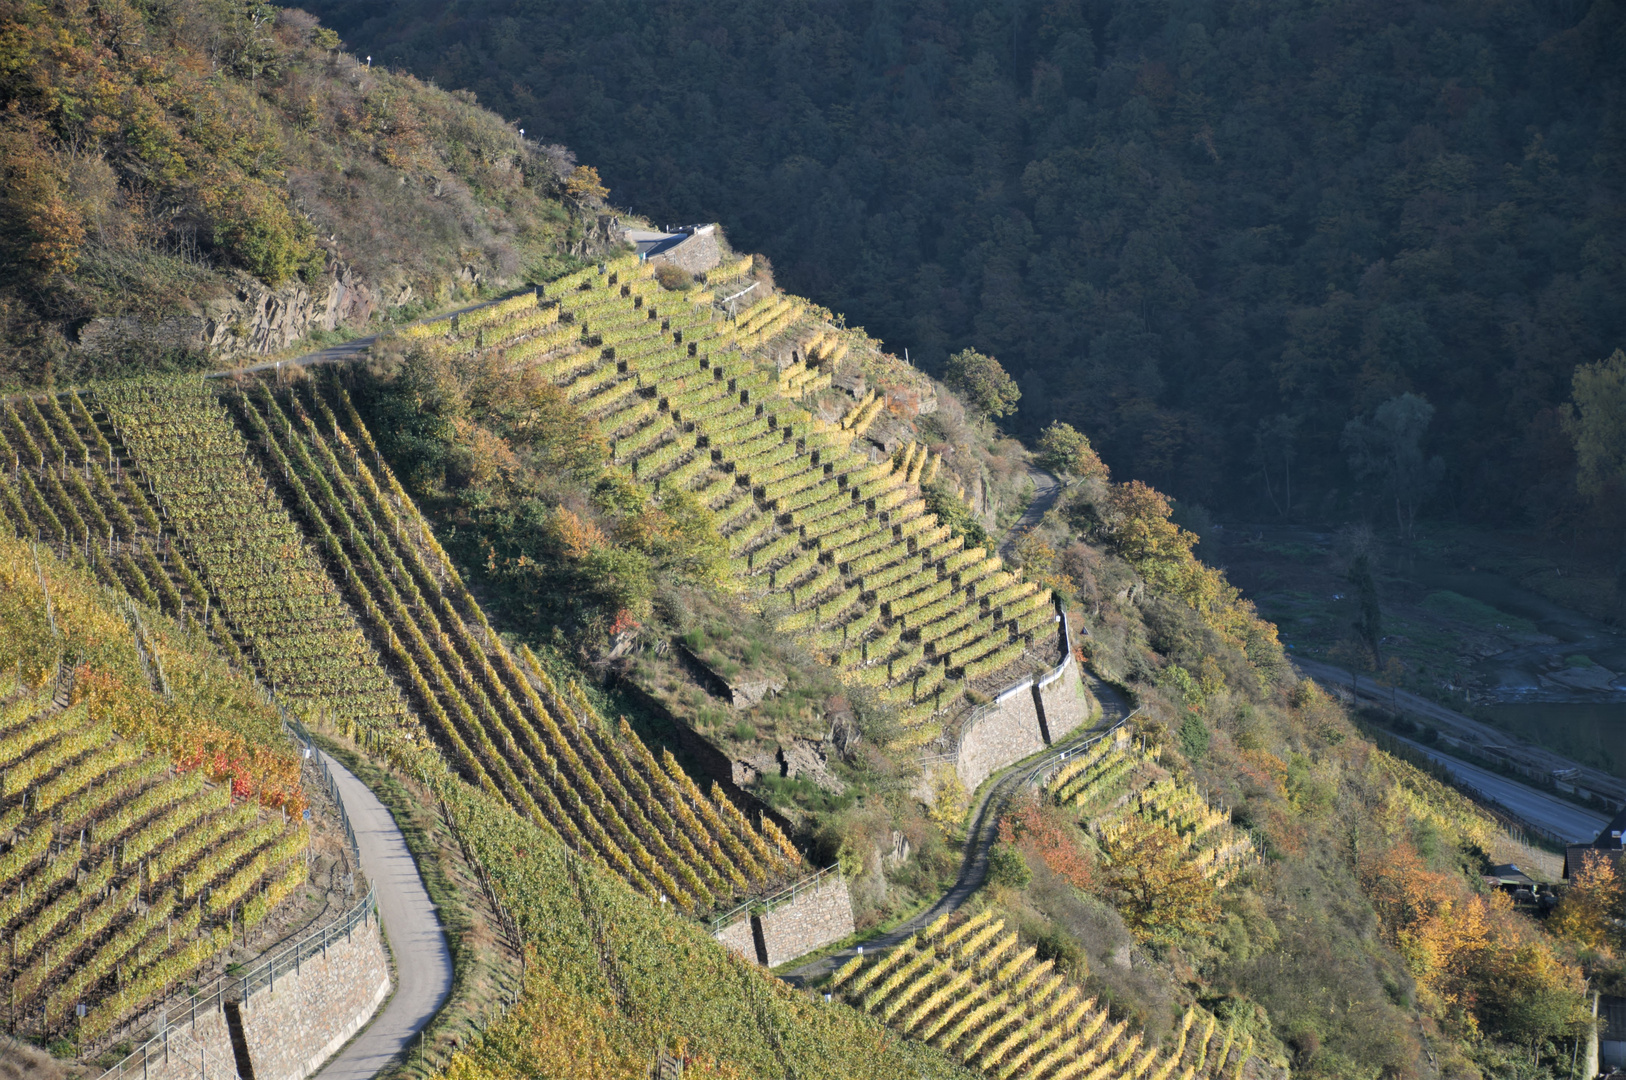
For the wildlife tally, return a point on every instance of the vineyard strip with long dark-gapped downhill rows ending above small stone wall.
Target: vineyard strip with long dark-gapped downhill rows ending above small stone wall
(505, 721)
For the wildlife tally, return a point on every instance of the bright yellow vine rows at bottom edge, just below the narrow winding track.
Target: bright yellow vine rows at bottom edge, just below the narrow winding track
(976, 995)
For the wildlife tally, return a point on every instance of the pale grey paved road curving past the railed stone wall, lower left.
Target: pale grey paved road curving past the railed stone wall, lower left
(424, 965)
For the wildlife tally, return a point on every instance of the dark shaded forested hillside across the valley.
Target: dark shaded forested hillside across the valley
(1207, 235)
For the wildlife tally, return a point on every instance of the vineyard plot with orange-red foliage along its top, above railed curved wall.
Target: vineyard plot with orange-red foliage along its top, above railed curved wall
(139, 835)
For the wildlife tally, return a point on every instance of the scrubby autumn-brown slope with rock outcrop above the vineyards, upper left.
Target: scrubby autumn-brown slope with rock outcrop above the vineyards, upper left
(201, 180)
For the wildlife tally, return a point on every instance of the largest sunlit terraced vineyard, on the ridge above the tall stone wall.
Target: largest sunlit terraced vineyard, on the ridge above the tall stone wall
(843, 546)
